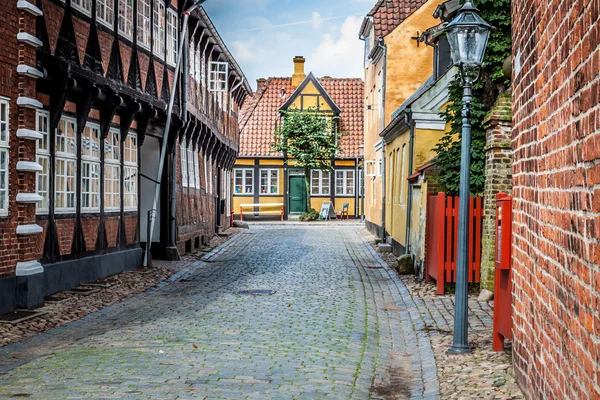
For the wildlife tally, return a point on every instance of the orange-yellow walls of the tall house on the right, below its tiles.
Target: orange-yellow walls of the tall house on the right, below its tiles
(408, 67)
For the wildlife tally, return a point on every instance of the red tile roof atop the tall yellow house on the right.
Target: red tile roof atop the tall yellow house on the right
(388, 14)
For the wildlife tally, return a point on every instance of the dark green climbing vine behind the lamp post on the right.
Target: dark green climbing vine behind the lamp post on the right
(492, 82)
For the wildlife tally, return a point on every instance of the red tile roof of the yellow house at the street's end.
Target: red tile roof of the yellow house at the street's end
(260, 114)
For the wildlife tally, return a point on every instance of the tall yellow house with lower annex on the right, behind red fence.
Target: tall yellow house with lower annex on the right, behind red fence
(407, 73)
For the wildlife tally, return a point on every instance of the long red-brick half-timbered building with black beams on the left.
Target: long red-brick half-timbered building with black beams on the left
(84, 87)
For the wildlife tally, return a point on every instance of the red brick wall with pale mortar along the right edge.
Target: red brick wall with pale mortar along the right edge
(556, 178)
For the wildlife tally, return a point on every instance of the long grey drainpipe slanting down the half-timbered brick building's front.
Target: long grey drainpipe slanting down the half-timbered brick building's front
(163, 151)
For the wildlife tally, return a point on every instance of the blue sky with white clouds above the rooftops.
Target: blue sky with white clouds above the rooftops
(265, 35)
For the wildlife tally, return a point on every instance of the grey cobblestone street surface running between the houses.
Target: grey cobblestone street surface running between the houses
(340, 325)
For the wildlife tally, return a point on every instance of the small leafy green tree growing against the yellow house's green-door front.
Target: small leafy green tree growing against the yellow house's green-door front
(310, 139)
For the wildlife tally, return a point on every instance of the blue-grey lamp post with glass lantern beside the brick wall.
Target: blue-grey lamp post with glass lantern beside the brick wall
(467, 35)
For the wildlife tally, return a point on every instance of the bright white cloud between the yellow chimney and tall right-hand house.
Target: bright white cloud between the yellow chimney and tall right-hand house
(342, 56)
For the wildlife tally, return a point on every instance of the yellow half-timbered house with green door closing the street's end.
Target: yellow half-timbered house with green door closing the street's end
(266, 184)
